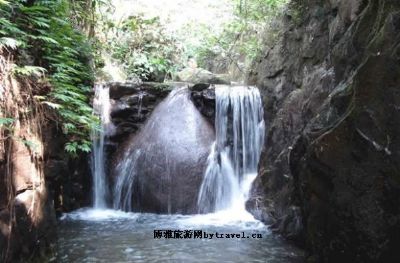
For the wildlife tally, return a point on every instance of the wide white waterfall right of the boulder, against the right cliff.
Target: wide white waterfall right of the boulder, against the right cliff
(233, 160)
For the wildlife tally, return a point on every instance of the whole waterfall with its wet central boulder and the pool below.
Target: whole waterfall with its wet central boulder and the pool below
(162, 167)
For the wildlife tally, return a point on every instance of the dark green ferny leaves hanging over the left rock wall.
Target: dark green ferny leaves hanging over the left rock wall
(48, 45)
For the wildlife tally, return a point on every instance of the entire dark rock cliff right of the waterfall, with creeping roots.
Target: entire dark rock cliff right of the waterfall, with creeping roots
(329, 175)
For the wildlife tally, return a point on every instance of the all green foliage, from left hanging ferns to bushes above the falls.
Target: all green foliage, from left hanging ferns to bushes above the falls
(56, 42)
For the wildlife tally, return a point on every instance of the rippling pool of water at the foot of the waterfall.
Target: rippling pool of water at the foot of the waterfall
(89, 235)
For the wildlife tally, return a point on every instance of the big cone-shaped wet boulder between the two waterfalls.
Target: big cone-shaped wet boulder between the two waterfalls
(165, 161)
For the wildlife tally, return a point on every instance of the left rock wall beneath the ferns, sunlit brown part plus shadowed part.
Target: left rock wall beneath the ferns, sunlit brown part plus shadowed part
(37, 177)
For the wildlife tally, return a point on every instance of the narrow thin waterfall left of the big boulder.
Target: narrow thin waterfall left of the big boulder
(101, 107)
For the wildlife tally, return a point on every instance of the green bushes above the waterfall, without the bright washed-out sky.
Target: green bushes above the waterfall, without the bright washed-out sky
(148, 49)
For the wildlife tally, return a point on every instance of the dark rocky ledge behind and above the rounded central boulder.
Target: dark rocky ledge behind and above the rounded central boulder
(133, 103)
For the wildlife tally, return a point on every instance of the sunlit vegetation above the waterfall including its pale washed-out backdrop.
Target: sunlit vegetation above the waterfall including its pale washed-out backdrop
(156, 46)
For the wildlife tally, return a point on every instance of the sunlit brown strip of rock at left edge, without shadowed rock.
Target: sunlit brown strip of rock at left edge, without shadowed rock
(27, 219)
